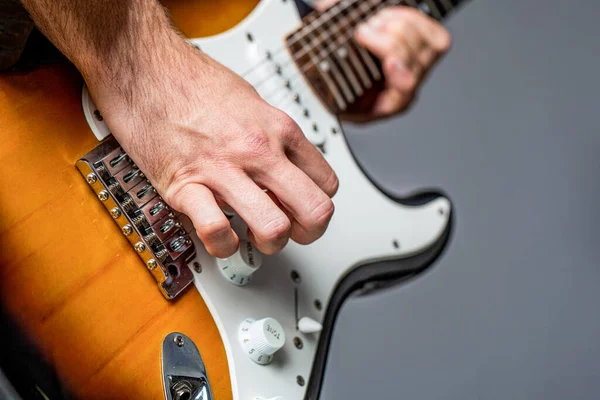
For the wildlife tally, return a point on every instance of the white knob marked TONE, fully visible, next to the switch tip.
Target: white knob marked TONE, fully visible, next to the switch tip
(261, 339)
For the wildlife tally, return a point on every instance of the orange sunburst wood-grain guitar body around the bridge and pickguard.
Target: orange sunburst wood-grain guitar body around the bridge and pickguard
(68, 277)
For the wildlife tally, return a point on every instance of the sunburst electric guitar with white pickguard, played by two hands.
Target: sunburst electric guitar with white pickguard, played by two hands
(248, 327)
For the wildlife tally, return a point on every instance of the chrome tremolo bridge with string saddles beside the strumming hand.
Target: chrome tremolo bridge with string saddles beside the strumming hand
(156, 232)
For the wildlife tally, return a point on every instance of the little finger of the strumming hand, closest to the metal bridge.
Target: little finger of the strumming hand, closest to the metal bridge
(212, 226)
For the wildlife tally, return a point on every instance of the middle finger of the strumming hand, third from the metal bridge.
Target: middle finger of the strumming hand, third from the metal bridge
(308, 204)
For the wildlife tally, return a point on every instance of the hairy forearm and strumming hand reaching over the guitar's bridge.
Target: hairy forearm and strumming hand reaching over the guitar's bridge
(201, 134)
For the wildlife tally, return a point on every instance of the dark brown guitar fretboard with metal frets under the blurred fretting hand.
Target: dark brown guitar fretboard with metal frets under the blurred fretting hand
(343, 74)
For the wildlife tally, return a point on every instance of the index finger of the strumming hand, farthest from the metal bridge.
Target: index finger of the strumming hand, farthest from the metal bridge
(306, 157)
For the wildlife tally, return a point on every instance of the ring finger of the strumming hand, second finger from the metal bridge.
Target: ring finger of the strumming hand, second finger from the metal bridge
(269, 226)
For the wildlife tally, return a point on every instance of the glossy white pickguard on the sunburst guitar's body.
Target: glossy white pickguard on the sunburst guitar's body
(364, 227)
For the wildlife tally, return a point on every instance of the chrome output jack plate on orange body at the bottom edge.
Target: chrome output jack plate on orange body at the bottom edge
(184, 373)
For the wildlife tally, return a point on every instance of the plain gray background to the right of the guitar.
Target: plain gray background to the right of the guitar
(508, 127)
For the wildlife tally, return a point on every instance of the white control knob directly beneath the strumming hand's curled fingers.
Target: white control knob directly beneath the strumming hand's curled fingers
(239, 267)
